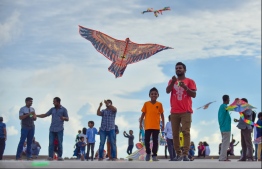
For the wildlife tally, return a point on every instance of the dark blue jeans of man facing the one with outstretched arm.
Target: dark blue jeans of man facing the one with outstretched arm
(26, 134)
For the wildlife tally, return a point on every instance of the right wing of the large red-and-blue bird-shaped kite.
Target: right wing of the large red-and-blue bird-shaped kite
(137, 52)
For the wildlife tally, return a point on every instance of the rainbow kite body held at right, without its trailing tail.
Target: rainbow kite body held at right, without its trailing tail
(239, 106)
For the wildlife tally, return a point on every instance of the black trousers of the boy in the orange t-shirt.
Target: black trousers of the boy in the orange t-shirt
(154, 134)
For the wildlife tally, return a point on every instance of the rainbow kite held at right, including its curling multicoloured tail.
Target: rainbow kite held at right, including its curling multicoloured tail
(239, 106)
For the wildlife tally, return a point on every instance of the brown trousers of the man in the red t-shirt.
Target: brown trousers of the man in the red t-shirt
(185, 120)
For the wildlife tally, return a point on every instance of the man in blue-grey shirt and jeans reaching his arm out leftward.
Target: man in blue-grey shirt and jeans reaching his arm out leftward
(59, 115)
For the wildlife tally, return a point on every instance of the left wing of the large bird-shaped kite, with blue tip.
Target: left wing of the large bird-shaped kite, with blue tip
(109, 47)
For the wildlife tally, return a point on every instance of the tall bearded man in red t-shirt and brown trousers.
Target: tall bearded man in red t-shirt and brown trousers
(182, 89)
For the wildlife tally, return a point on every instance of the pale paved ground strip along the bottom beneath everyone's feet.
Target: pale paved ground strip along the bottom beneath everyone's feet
(129, 164)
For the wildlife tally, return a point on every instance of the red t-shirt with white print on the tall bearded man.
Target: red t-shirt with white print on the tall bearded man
(179, 100)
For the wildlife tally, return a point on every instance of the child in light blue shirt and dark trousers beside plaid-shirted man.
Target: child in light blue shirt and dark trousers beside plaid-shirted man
(90, 136)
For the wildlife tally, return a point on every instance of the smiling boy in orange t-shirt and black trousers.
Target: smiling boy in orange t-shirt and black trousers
(151, 112)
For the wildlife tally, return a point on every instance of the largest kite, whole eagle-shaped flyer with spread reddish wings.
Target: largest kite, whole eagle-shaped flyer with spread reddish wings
(120, 52)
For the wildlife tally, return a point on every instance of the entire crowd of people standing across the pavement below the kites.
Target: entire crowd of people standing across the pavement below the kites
(151, 124)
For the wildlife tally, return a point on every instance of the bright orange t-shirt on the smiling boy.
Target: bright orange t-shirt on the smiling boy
(152, 115)
